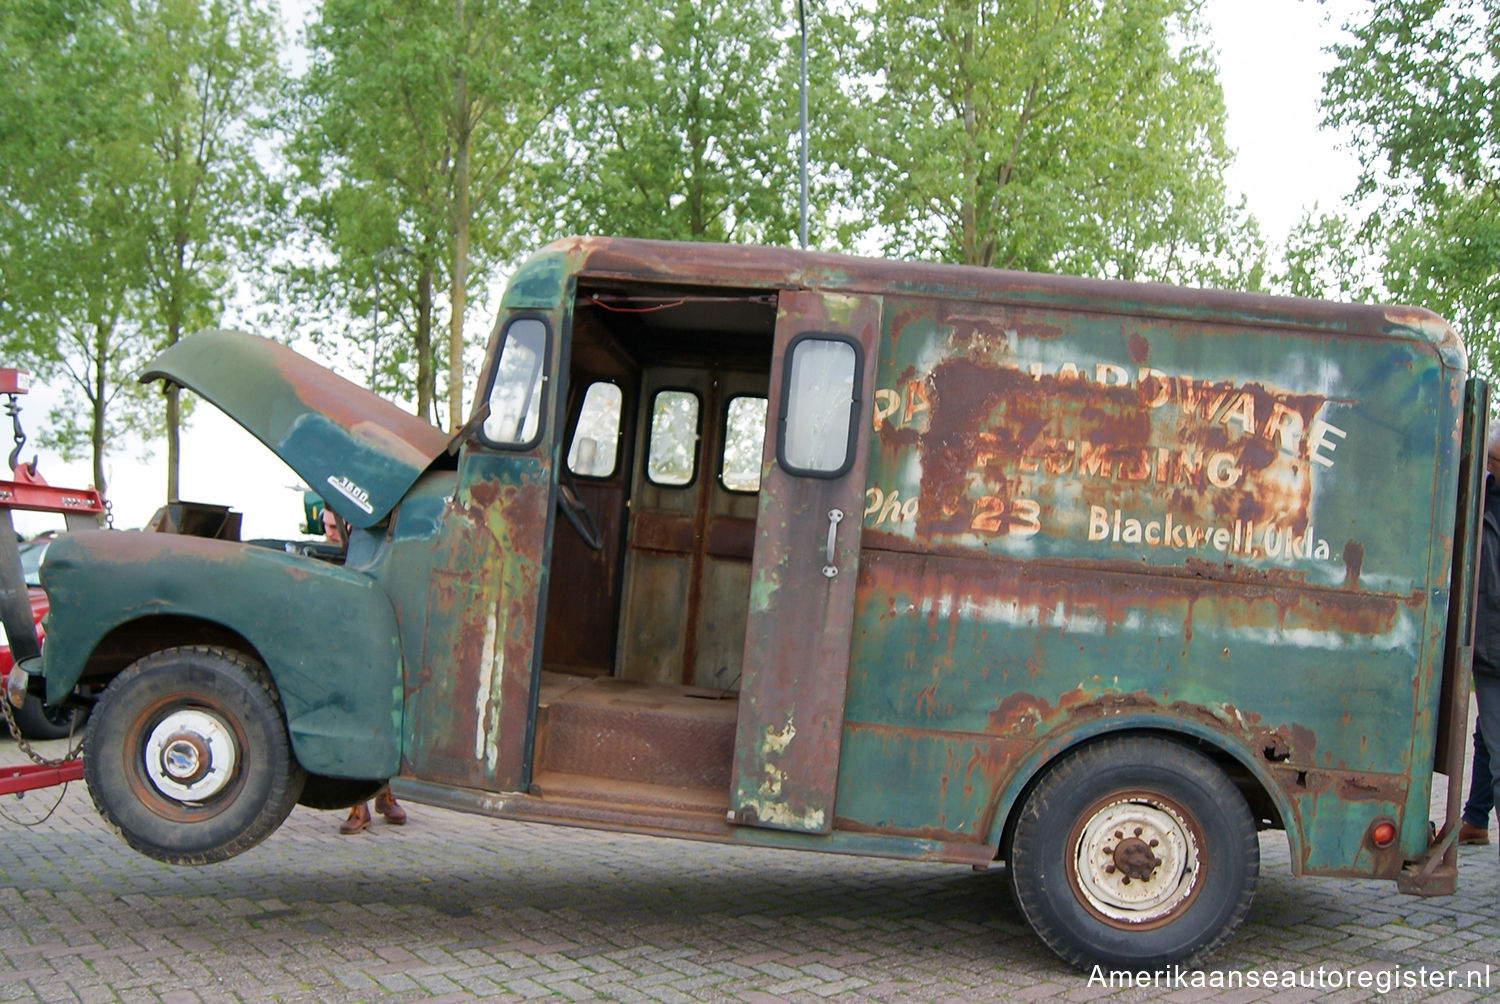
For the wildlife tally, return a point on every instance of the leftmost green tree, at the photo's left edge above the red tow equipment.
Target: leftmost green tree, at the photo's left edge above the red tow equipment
(73, 263)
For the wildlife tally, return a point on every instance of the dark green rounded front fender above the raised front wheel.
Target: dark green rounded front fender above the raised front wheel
(328, 634)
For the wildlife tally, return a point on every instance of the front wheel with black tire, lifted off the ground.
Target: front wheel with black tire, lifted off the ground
(187, 756)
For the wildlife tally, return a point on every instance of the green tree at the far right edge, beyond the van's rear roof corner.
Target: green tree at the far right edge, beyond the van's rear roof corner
(1417, 91)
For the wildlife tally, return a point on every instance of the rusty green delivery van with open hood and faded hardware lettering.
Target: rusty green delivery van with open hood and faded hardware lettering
(1094, 580)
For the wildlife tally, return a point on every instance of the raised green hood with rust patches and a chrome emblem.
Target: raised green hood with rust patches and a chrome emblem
(356, 449)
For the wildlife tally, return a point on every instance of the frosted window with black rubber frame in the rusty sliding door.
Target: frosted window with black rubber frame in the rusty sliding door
(818, 422)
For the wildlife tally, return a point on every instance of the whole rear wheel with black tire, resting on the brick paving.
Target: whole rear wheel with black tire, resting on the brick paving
(1090, 879)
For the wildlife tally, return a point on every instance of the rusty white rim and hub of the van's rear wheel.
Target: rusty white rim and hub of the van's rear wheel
(1138, 861)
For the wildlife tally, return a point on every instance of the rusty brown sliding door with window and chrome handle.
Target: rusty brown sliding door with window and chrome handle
(806, 562)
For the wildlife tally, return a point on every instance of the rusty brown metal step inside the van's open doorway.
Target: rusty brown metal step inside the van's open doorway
(641, 733)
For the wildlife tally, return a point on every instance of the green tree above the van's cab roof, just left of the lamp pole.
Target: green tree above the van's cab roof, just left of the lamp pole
(685, 125)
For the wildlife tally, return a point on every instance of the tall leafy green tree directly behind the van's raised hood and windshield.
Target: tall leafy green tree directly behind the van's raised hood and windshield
(412, 122)
